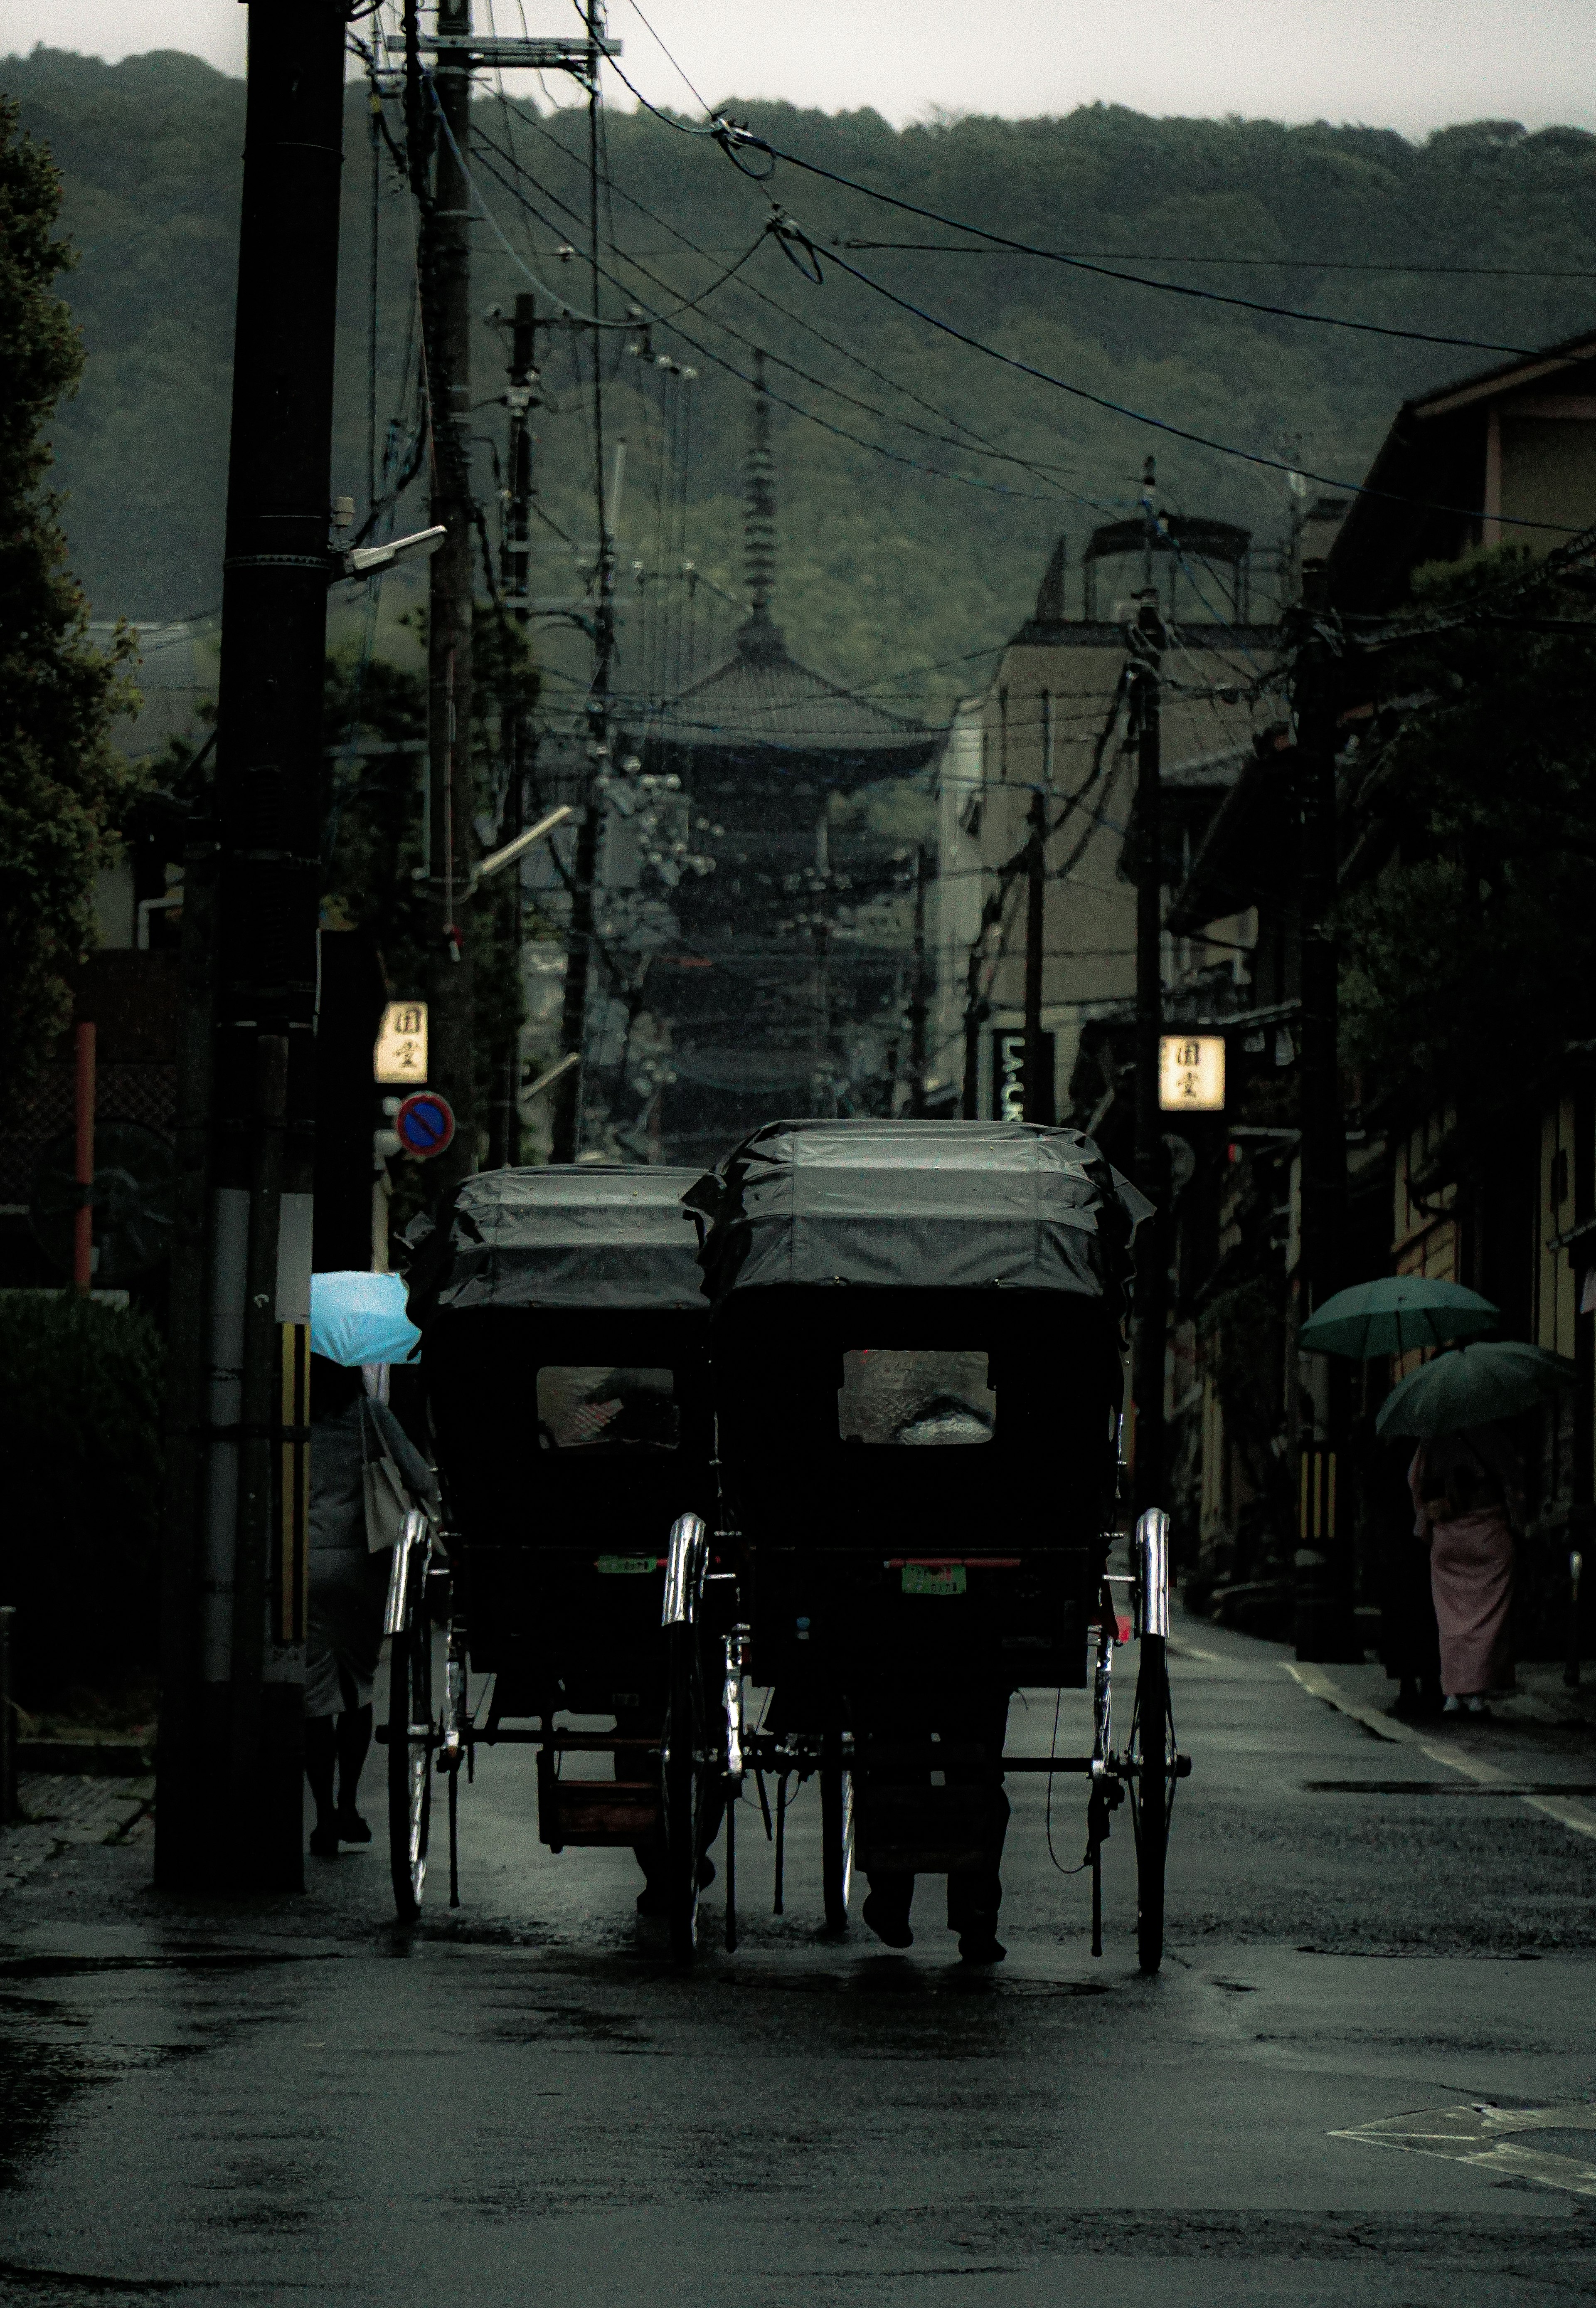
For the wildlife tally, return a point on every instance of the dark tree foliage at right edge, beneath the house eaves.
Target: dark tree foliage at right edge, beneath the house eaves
(1477, 936)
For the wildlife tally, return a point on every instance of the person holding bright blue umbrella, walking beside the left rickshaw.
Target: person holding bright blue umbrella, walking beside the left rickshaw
(361, 1460)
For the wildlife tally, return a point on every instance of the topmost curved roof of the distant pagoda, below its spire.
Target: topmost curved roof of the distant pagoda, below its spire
(765, 700)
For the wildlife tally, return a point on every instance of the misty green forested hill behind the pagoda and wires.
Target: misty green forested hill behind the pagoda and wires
(887, 560)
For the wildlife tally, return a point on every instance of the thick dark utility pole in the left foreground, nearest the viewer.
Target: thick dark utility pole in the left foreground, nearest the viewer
(239, 1444)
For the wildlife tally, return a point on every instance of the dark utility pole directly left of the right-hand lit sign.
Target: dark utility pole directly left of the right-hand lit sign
(1150, 1146)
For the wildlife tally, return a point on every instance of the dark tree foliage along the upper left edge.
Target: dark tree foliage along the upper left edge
(61, 784)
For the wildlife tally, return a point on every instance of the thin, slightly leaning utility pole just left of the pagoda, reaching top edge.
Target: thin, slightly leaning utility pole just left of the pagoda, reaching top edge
(585, 864)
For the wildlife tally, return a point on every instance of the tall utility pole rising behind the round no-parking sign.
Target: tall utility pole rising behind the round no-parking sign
(451, 788)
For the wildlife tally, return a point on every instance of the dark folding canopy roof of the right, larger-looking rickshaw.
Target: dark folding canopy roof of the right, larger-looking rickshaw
(921, 1206)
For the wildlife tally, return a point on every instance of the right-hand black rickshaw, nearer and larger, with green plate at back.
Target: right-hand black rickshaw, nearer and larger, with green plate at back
(917, 1358)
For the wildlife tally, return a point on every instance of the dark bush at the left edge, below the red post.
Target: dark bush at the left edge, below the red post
(82, 1388)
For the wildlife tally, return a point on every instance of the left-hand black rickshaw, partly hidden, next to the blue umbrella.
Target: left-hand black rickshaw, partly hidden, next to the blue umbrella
(564, 1351)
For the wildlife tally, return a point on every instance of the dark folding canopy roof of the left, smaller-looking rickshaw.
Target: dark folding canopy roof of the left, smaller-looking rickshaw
(580, 1238)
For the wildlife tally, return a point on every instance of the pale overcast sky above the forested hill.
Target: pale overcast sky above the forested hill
(1392, 63)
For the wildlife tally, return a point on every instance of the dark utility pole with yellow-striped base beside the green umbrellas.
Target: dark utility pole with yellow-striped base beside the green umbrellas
(1325, 1601)
